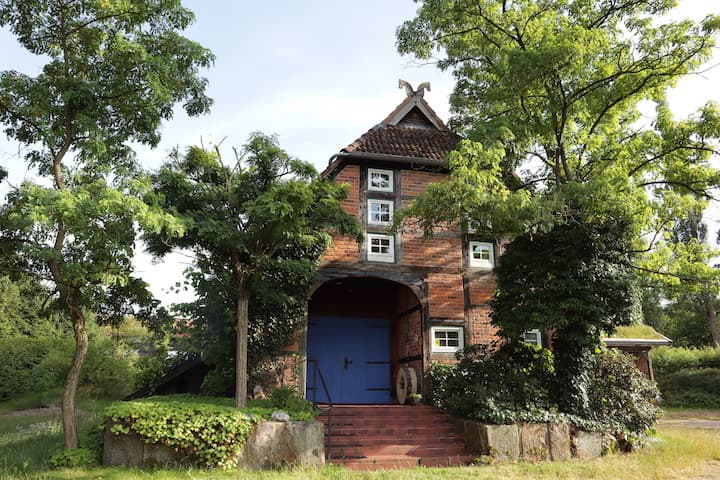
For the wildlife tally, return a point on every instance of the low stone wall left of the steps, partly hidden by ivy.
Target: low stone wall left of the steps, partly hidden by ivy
(271, 445)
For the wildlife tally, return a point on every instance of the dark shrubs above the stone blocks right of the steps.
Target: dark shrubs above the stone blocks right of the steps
(515, 382)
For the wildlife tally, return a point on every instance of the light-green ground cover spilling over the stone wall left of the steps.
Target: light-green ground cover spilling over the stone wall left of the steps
(210, 432)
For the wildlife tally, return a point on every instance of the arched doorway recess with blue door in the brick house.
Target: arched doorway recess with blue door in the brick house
(359, 331)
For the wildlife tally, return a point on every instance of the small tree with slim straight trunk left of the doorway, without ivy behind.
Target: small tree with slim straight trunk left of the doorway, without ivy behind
(265, 214)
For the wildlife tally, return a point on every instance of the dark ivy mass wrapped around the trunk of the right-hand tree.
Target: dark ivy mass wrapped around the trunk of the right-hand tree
(573, 281)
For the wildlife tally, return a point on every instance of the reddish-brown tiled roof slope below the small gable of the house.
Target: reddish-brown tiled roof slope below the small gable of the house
(405, 141)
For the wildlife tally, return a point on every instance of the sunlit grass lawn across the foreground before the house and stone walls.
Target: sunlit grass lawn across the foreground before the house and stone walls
(27, 441)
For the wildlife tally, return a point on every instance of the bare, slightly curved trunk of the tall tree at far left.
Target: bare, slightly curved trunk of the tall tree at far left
(73, 379)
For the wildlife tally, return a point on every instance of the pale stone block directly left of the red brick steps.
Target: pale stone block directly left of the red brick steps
(282, 444)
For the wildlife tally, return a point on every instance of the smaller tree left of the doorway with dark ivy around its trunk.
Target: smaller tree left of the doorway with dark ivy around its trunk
(257, 226)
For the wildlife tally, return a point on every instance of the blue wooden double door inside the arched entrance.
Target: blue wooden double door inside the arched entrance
(354, 357)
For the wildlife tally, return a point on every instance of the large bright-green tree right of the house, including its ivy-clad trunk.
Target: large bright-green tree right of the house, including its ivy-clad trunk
(558, 157)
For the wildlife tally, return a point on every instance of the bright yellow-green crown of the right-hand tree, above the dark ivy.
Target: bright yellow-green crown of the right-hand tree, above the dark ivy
(550, 90)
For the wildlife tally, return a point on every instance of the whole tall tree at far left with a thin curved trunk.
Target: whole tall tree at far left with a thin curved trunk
(114, 72)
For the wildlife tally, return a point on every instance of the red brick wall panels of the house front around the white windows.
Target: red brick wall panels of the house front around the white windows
(456, 295)
